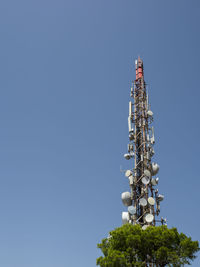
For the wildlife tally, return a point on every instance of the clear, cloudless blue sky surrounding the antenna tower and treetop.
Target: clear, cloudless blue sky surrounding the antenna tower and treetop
(65, 73)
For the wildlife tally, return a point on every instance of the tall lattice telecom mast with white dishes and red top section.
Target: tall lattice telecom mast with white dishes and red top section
(143, 200)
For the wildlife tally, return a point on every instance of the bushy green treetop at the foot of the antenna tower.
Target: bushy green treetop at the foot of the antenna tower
(159, 246)
